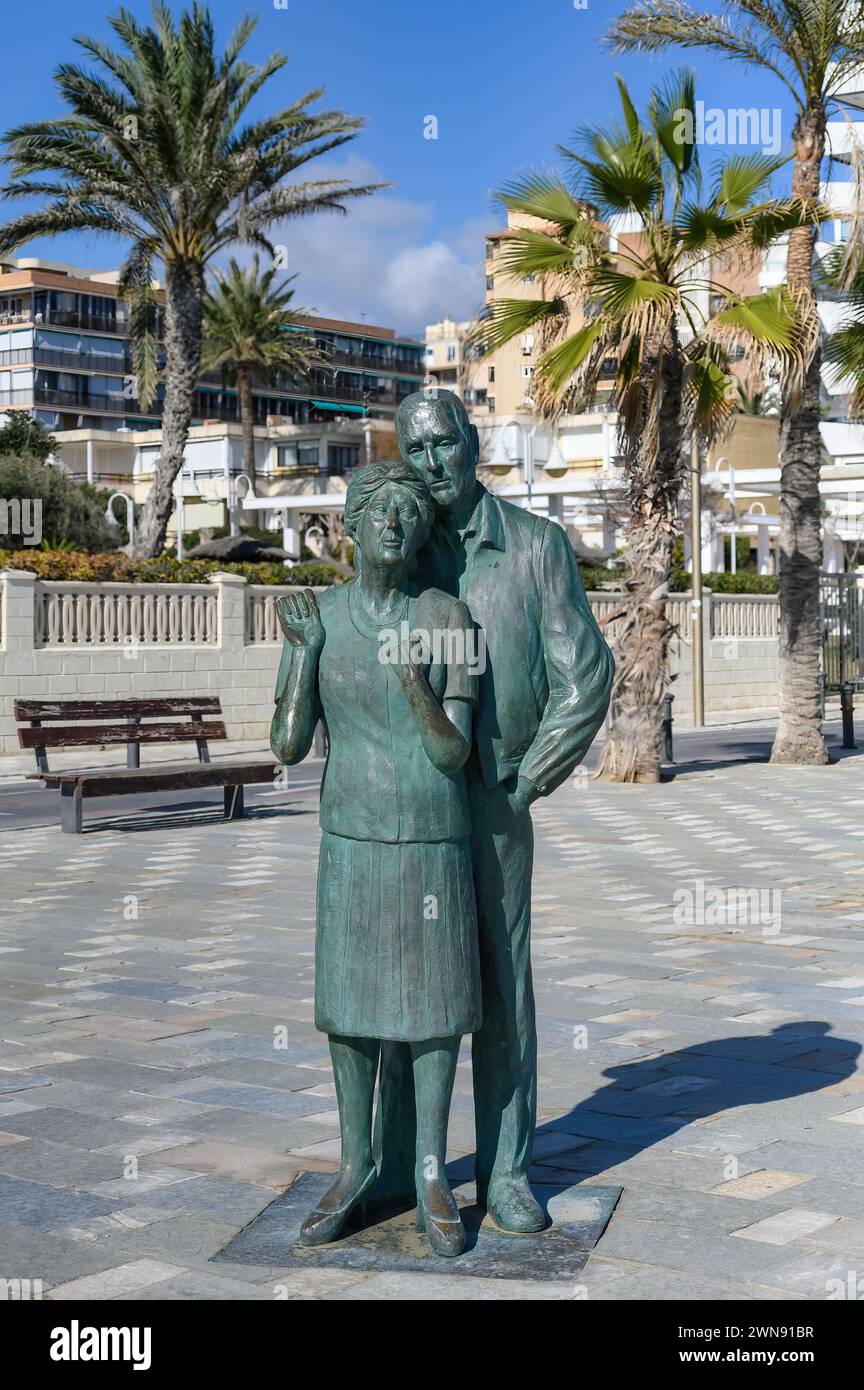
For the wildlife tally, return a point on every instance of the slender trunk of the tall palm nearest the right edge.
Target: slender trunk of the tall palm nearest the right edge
(799, 735)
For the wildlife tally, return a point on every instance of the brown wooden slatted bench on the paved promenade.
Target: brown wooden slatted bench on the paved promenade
(122, 722)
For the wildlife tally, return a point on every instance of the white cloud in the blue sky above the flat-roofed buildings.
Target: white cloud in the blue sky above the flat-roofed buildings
(383, 261)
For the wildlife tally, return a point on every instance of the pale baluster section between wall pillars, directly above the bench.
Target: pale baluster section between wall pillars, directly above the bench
(122, 615)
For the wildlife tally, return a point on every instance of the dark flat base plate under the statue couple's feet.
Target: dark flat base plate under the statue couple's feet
(579, 1217)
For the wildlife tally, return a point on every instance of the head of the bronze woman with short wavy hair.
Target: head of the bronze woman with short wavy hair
(388, 512)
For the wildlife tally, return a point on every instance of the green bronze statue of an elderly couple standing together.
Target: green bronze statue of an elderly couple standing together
(437, 751)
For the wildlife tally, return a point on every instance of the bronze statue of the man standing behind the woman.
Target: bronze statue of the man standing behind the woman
(544, 696)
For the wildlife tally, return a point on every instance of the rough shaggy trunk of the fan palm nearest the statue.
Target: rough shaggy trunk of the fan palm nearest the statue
(633, 749)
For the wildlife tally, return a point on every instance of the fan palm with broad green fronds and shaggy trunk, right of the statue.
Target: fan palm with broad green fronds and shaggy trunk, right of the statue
(645, 311)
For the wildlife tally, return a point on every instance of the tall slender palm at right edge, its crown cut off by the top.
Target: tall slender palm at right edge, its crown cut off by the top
(812, 47)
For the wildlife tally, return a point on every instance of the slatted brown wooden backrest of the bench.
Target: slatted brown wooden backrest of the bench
(174, 721)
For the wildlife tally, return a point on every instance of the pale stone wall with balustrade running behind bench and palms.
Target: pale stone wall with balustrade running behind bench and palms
(223, 639)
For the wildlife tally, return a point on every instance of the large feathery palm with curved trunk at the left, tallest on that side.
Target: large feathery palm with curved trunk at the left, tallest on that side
(160, 152)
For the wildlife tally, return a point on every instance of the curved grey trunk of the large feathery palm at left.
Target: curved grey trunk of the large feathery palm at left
(184, 315)
